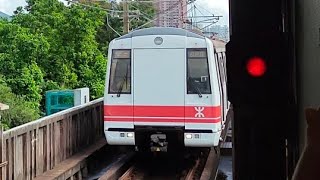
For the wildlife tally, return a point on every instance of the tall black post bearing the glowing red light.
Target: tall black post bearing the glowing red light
(261, 87)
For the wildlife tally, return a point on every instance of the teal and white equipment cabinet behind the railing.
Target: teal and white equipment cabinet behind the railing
(59, 100)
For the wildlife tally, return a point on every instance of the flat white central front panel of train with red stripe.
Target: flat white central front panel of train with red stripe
(159, 86)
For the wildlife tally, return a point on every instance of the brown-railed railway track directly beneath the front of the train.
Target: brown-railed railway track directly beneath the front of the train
(190, 166)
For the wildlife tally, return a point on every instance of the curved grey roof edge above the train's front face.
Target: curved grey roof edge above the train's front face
(161, 31)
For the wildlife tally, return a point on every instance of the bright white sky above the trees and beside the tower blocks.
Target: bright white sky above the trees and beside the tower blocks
(217, 7)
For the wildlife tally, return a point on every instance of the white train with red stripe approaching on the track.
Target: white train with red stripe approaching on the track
(165, 87)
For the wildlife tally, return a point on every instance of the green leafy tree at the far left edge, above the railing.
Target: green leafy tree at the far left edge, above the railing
(19, 52)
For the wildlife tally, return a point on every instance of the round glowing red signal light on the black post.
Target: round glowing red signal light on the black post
(256, 66)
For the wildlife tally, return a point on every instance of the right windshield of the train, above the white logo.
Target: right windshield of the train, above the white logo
(198, 78)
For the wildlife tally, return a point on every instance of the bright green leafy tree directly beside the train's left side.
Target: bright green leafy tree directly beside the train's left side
(72, 58)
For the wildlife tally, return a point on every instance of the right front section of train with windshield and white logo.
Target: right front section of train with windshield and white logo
(198, 90)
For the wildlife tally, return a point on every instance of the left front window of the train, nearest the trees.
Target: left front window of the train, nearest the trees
(120, 72)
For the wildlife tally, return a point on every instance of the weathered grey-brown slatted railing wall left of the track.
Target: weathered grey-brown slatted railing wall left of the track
(36, 147)
